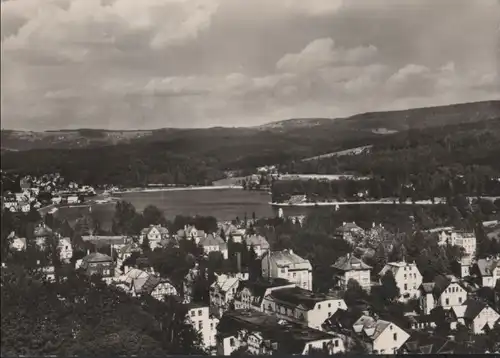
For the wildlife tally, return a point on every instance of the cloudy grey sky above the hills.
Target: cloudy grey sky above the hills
(129, 64)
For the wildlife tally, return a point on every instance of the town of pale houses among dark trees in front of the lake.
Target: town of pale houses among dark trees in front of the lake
(242, 293)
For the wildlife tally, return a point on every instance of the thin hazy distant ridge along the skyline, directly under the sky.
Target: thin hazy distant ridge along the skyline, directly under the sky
(374, 123)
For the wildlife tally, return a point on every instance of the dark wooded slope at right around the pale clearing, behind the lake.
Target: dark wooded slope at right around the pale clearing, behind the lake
(419, 164)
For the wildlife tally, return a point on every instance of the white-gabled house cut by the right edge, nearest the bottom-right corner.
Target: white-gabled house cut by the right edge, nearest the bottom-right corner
(477, 315)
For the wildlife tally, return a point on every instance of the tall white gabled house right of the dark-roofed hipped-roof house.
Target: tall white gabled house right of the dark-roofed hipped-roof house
(407, 276)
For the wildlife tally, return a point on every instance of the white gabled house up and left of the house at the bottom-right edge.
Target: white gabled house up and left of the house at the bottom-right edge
(444, 291)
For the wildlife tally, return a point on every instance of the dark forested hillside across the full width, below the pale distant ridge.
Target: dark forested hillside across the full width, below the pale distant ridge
(200, 156)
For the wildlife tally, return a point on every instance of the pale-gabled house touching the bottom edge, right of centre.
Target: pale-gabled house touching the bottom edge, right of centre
(383, 337)
